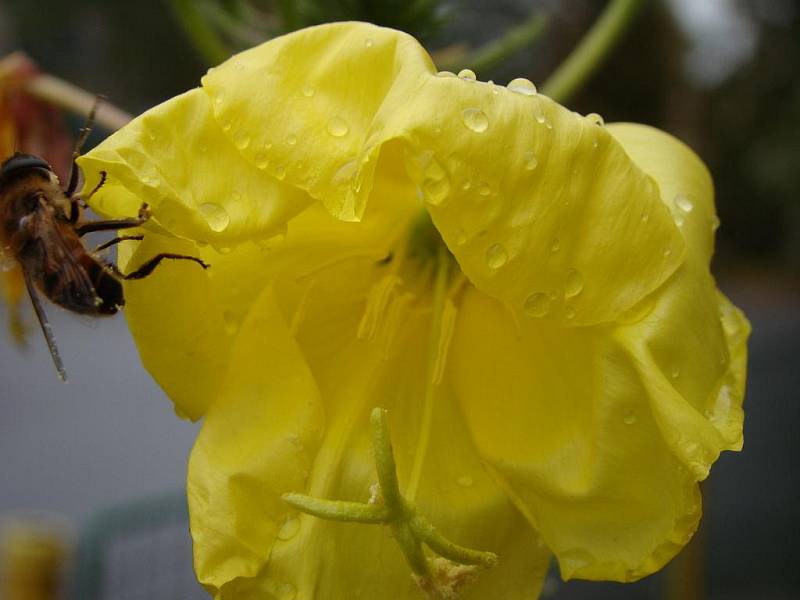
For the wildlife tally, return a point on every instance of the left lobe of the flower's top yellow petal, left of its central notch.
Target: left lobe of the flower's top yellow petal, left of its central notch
(307, 101)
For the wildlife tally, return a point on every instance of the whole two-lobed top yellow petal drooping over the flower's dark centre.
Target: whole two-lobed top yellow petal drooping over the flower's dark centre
(564, 212)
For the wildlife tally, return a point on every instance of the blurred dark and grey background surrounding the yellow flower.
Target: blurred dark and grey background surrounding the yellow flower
(99, 463)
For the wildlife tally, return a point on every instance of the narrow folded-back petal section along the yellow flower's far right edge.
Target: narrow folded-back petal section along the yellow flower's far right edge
(687, 341)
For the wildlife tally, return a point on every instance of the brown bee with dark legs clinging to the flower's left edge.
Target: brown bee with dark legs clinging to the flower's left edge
(41, 227)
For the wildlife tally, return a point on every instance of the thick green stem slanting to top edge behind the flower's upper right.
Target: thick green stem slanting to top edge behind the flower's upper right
(592, 50)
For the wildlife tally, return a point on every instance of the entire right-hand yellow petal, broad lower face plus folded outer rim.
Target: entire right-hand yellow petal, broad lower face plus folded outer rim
(605, 430)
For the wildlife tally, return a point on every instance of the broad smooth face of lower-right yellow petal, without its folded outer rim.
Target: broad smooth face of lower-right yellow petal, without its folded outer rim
(574, 440)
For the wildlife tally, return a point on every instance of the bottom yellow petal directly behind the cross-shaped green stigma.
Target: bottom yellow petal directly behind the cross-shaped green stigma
(238, 466)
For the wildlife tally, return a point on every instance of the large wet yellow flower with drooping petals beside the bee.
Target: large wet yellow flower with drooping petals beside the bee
(525, 291)
